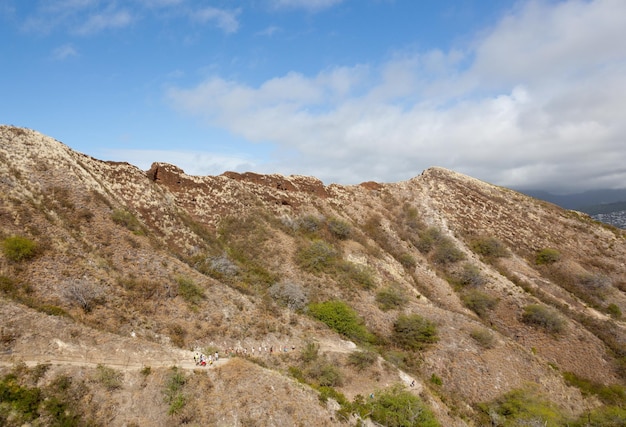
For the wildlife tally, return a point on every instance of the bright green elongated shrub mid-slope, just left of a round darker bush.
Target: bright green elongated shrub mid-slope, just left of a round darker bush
(340, 317)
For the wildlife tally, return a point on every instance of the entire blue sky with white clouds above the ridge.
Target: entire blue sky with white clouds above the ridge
(525, 94)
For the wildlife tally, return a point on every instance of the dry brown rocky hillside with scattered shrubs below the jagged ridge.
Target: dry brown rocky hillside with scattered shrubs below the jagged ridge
(132, 263)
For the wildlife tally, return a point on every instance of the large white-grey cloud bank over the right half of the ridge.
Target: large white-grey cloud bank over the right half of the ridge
(536, 101)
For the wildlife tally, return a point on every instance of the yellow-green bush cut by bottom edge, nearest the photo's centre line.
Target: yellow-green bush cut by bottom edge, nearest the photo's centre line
(396, 407)
